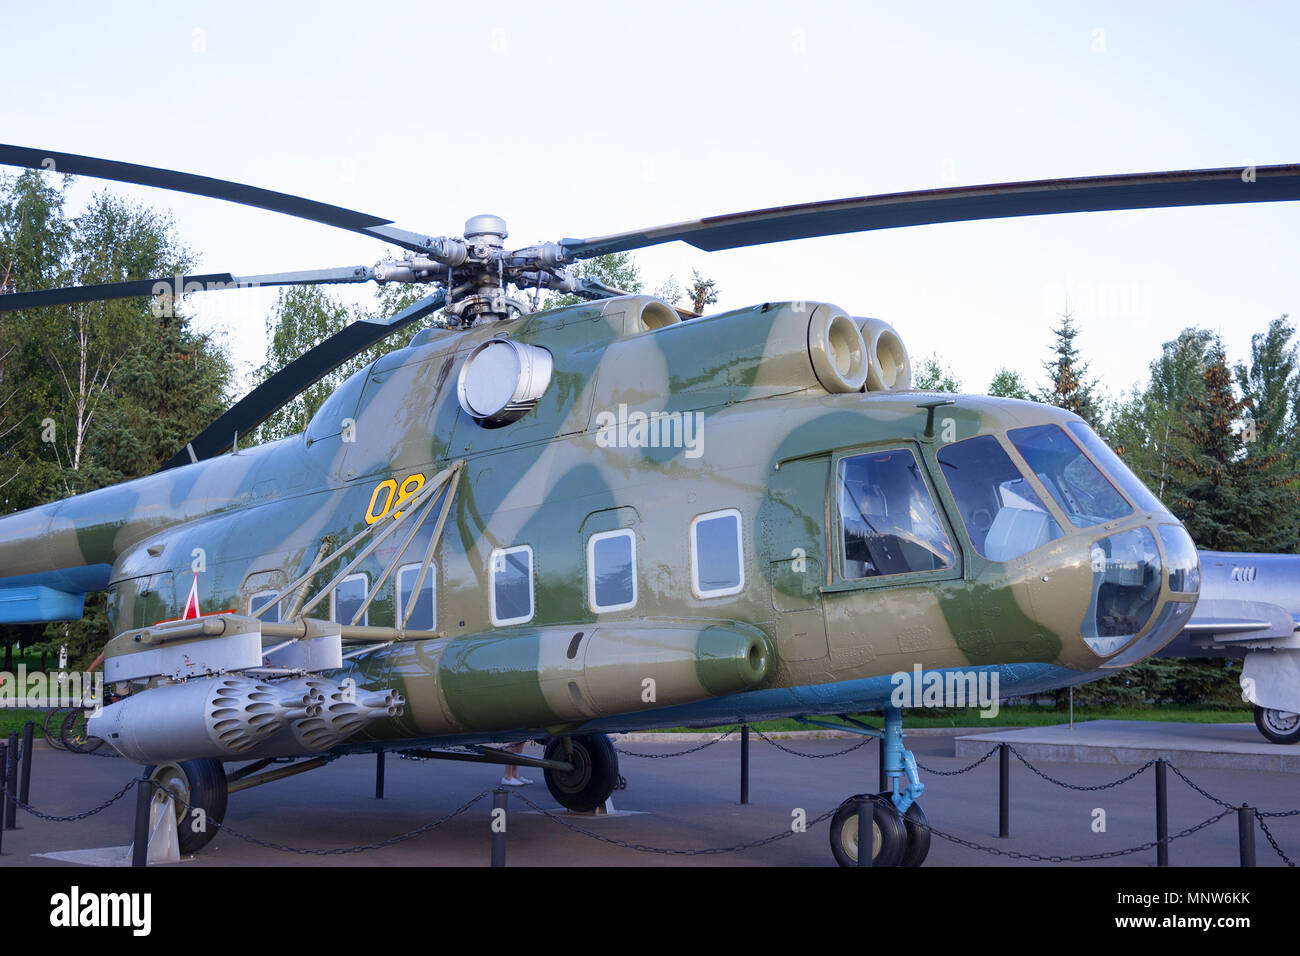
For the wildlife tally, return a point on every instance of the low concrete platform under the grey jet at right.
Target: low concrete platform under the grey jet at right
(1215, 746)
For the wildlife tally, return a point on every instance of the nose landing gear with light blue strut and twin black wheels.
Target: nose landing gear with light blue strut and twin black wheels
(900, 833)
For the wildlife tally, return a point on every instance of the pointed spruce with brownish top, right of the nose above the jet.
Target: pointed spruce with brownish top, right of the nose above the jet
(1229, 496)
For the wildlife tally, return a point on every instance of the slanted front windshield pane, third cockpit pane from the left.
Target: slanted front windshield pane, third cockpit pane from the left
(1085, 495)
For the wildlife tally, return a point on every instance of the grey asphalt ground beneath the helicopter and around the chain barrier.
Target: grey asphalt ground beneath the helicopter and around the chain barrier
(690, 802)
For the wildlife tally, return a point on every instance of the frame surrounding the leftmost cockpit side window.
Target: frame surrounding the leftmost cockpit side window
(943, 507)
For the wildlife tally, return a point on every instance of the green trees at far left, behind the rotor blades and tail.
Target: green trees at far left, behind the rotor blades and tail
(92, 393)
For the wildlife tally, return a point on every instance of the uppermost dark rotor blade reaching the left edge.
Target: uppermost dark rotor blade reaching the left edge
(215, 189)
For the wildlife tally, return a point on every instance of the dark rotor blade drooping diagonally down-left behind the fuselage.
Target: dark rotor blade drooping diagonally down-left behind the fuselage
(298, 375)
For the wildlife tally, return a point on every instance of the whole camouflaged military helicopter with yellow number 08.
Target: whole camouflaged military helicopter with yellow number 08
(601, 518)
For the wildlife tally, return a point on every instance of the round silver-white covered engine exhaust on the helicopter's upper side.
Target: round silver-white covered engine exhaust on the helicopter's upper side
(502, 380)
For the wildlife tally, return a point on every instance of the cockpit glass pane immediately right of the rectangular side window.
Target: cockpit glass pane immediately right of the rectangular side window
(1003, 514)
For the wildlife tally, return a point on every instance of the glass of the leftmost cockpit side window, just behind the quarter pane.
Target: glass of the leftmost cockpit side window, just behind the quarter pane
(889, 518)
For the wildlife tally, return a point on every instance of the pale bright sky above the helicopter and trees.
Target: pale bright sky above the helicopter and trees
(586, 119)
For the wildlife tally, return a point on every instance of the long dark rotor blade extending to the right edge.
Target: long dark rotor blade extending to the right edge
(963, 204)
